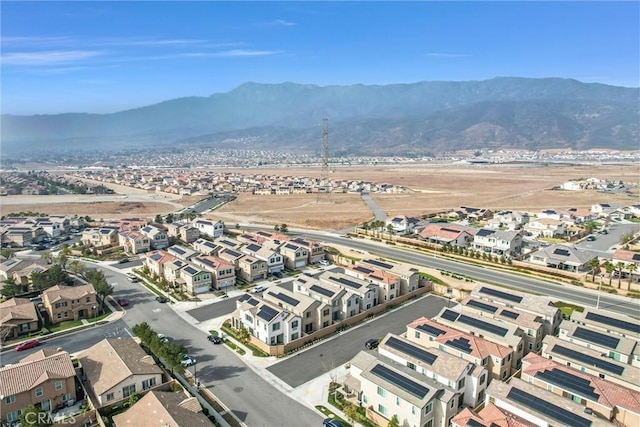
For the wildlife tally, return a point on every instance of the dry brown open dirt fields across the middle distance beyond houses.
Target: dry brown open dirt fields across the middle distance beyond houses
(430, 188)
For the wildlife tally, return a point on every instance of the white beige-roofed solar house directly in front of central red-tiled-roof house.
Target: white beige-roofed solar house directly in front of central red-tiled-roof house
(467, 379)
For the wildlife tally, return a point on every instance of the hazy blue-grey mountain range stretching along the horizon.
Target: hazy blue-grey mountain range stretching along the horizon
(423, 118)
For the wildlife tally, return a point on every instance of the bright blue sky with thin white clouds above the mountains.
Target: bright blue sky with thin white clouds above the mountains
(103, 57)
